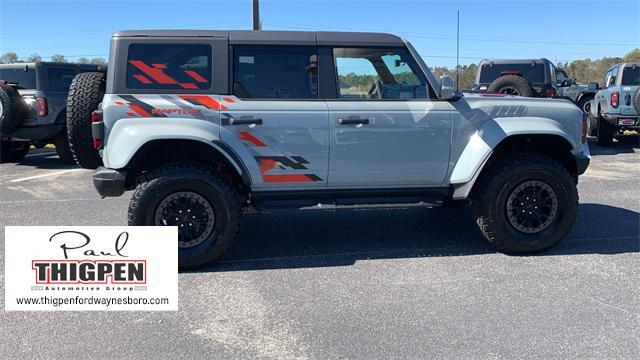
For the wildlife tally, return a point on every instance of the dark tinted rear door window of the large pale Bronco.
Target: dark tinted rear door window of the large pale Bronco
(275, 72)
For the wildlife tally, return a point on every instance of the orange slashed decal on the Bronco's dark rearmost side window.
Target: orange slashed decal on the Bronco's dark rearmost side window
(157, 74)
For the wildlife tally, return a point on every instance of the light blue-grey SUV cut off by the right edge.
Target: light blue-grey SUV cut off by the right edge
(616, 107)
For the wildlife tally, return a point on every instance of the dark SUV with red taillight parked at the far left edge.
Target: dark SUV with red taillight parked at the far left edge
(33, 99)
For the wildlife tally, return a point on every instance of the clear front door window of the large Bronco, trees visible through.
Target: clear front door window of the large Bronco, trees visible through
(377, 74)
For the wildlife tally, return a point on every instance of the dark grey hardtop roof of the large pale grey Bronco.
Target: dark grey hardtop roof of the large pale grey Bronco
(269, 37)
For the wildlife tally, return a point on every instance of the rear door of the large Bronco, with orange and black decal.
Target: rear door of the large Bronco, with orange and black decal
(276, 114)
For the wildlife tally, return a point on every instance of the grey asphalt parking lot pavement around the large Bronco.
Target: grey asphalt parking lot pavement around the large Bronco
(404, 283)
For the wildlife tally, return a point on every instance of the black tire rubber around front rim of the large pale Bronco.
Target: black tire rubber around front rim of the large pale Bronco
(490, 194)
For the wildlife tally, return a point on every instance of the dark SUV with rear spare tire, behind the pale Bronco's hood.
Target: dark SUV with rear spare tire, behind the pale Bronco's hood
(532, 78)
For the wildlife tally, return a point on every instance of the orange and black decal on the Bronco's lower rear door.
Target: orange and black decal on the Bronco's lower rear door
(268, 163)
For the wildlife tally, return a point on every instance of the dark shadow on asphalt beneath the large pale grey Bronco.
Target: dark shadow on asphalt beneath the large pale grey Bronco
(303, 239)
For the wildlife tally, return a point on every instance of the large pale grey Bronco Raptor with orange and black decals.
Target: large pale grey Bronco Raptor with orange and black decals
(206, 124)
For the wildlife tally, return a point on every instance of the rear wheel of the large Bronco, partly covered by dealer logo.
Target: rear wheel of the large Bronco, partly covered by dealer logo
(204, 207)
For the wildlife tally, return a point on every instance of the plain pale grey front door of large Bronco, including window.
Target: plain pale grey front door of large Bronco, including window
(385, 129)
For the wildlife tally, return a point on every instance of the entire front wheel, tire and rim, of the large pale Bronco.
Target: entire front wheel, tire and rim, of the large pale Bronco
(525, 203)
